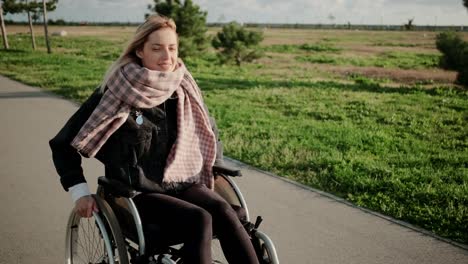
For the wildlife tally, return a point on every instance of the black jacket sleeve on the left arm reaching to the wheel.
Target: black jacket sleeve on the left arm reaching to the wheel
(66, 159)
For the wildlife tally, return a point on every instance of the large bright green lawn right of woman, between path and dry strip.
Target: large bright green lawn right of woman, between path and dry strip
(401, 152)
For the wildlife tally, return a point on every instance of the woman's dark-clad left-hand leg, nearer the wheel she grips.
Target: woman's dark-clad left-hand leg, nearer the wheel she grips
(181, 219)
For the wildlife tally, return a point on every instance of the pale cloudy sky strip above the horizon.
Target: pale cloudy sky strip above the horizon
(377, 12)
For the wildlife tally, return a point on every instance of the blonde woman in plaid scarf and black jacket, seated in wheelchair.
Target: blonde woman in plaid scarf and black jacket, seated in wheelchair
(149, 126)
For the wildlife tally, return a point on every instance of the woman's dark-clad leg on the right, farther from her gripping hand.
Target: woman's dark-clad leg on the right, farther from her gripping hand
(234, 240)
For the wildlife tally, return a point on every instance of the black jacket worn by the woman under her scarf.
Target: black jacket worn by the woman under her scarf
(135, 154)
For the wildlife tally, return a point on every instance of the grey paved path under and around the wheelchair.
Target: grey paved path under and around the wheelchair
(306, 226)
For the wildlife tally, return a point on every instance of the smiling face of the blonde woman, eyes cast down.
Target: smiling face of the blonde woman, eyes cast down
(160, 52)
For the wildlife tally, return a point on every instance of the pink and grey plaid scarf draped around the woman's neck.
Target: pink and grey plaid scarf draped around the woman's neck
(194, 151)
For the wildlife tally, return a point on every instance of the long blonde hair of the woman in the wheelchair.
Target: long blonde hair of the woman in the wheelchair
(152, 23)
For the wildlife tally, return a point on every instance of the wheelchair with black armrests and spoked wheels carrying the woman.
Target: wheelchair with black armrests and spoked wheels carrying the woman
(116, 234)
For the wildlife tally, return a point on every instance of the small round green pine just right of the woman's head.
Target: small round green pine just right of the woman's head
(238, 44)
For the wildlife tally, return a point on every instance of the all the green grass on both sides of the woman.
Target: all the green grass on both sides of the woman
(400, 151)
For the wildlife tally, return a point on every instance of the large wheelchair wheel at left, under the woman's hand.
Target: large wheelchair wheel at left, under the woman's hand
(97, 239)
